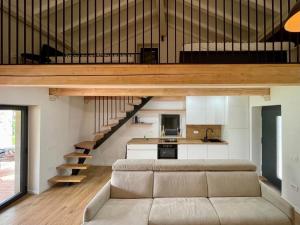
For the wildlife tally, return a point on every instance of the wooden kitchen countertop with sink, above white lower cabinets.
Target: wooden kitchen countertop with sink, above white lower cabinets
(139, 141)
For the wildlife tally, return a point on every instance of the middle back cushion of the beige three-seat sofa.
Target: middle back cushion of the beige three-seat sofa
(179, 184)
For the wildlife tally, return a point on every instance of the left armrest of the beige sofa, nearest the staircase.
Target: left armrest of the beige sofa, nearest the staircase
(96, 203)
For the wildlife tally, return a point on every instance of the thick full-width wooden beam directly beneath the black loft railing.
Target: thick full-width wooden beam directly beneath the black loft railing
(179, 74)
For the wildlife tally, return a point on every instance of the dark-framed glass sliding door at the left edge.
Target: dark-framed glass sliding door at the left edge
(13, 153)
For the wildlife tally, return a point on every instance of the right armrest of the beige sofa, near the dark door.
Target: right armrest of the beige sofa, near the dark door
(272, 195)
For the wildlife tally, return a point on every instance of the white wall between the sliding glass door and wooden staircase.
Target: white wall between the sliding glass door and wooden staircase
(53, 130)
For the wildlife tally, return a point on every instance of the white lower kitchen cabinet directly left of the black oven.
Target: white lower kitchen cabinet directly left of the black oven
(141, 151)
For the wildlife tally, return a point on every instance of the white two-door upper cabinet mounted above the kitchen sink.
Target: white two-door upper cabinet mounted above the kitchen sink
(205, 110)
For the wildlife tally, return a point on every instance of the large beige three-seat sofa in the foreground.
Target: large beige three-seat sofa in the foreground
(186, 192)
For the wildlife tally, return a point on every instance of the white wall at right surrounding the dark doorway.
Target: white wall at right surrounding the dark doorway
(289, 99)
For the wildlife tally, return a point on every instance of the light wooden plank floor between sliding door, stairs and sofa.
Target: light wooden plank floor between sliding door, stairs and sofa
(60, 205)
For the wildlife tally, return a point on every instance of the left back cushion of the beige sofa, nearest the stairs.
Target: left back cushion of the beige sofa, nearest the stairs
(131, 184)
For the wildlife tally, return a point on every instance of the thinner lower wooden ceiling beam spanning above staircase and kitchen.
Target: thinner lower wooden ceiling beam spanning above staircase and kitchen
(174, 92)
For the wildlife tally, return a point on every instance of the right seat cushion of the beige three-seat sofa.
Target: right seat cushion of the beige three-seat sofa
(248, 211)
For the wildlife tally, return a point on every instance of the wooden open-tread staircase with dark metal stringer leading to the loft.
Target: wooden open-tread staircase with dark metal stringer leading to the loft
(111, 113)
